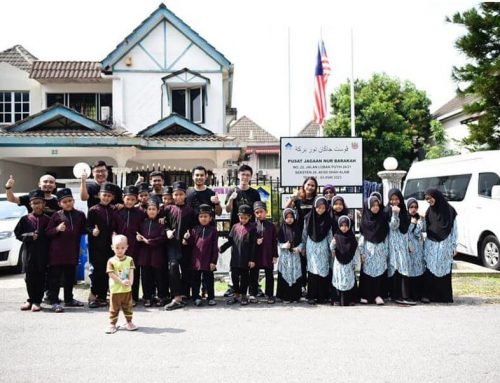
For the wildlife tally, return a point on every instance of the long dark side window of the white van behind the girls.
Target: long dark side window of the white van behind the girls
(452, 187)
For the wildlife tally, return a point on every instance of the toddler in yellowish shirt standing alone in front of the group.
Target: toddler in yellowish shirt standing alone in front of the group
(120, 269)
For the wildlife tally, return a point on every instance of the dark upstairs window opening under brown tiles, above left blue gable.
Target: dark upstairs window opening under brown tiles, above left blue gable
(93, 105)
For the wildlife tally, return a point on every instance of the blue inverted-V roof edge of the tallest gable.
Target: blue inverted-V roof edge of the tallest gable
(160, 14)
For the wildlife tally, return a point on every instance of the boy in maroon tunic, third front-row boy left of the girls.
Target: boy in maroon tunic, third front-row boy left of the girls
(203, 240)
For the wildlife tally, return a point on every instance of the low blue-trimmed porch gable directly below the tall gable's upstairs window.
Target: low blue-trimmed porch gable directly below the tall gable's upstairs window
(174, 124)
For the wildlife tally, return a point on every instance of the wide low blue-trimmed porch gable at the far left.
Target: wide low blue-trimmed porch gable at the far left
(57, 118)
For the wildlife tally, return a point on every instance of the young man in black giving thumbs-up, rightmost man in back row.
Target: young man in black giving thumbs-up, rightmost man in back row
(242, 194)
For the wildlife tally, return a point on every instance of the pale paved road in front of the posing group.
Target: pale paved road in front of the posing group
(280, 343)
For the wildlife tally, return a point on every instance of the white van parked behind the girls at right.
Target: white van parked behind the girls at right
(471, 183)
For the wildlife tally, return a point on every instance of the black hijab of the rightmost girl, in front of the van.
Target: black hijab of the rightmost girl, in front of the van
(439, 218)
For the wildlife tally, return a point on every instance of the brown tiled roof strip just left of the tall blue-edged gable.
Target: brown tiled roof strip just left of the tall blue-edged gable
(66, 70)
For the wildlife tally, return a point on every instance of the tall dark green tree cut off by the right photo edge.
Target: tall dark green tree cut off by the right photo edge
(481, 75)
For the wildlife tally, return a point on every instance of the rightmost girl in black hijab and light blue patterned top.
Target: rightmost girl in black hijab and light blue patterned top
(440, 246)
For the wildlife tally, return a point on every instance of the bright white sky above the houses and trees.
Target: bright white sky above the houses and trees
(407, 40)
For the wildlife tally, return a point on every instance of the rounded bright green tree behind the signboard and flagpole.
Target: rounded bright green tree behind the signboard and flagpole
(392, 117)
